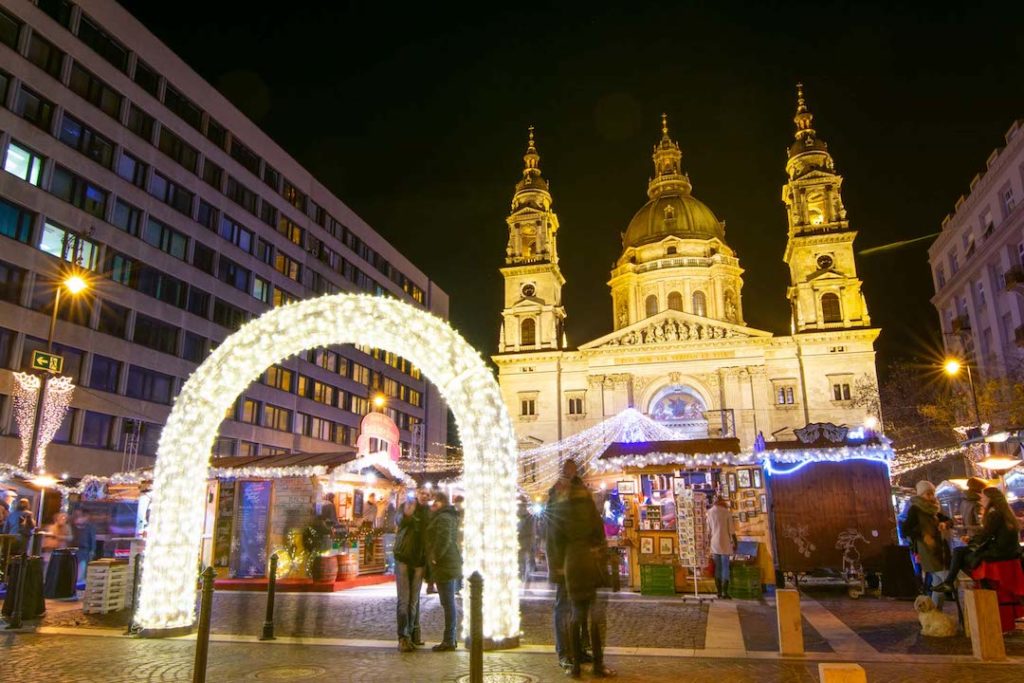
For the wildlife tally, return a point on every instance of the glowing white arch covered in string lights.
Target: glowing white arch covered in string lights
(167, 602)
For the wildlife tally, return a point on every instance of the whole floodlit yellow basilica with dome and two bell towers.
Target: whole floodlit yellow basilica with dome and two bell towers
(680, 351)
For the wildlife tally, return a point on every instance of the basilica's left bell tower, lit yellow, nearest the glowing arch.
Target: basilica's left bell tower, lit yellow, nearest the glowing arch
(534, 317)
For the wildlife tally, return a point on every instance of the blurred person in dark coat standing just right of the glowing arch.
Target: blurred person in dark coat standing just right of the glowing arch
(580, 532)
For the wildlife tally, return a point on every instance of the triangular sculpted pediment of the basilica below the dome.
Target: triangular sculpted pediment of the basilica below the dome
(674, 327)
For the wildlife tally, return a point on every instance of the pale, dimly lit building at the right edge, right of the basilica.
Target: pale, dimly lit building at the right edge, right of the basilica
(978, 266)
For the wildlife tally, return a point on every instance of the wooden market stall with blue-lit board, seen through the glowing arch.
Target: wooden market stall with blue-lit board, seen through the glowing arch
(327, 517)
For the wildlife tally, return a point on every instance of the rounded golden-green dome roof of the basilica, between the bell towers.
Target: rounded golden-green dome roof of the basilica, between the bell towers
(673, 214)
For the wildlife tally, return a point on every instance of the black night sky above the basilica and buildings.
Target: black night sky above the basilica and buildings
(416, 117)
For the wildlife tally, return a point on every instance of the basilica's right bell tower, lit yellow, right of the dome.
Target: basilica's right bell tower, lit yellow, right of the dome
(825, 290)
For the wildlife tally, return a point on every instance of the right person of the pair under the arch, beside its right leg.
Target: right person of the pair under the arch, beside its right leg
(445, 561)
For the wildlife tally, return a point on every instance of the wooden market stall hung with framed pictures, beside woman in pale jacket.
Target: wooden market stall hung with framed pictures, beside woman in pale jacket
(655, 499)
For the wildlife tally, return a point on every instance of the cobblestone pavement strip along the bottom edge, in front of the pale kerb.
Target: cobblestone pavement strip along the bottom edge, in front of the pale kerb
(106, 660)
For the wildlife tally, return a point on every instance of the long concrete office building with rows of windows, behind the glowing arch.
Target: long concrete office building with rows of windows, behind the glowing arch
(120, 159)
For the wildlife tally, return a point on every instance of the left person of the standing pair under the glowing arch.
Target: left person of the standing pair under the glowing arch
(410, 561)
